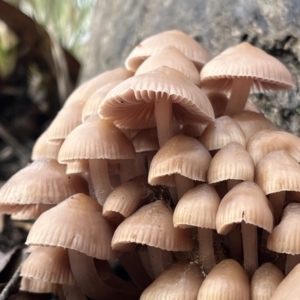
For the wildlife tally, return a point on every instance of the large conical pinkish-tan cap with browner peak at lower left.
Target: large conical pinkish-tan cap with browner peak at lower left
(61, 227)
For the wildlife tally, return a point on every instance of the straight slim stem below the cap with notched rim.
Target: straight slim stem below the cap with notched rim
(249, 236)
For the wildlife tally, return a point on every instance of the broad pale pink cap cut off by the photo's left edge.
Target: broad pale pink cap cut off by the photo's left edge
(43, 181)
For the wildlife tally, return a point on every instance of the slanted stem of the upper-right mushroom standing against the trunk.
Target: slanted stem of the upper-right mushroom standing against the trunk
(239, 94)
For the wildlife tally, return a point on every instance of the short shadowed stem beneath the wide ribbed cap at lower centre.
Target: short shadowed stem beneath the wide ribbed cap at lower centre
(160, 260)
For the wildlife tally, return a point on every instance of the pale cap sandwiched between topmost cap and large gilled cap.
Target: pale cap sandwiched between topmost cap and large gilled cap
(172, 58)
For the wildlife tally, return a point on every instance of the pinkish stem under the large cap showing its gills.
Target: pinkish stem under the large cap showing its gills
(163, 118)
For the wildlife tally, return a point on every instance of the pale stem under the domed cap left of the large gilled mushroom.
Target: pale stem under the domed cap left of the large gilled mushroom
(100, 179)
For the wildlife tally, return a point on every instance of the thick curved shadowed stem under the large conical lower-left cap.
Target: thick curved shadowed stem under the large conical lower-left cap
(91, 284)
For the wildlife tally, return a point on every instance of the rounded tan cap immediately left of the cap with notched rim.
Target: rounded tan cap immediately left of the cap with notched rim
(198, 207)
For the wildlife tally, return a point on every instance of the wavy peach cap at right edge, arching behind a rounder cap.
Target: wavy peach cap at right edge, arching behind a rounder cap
(266, 141)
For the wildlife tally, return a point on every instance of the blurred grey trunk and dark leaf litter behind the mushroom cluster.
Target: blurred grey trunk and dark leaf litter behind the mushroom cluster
(49, 47)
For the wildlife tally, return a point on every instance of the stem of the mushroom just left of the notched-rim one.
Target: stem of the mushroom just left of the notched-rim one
(206, 249)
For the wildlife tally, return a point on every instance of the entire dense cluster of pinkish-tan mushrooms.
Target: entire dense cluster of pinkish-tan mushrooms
(166, 169)
